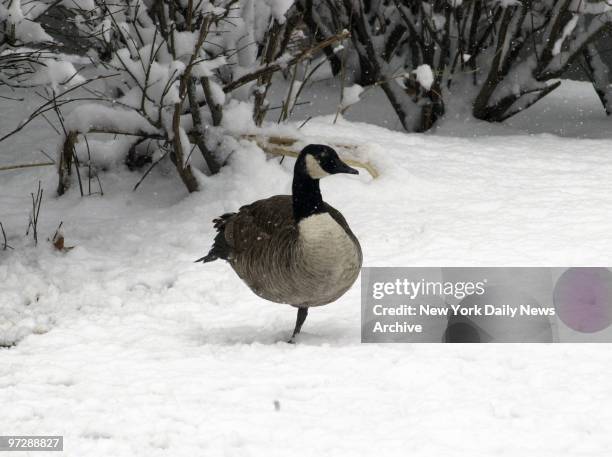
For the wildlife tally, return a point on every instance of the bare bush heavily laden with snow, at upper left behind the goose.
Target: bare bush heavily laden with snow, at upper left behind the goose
(171, 67)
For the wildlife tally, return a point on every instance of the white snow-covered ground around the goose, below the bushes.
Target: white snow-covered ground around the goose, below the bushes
(128, 348)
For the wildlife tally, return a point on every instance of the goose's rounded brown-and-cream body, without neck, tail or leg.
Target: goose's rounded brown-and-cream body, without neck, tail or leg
(310, 263)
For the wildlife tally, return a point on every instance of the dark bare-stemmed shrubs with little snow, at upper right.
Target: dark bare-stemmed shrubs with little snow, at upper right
(500, 56)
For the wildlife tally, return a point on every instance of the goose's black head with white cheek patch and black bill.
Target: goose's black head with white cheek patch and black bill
(318, 161)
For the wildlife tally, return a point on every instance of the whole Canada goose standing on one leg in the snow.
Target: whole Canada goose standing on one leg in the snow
(293, 249)
